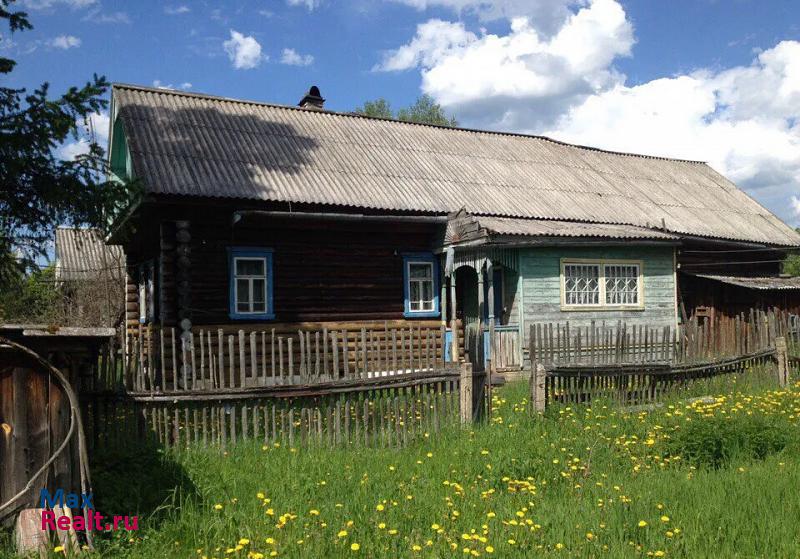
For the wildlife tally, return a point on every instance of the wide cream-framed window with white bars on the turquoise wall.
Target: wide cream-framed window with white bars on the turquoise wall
(601, 284)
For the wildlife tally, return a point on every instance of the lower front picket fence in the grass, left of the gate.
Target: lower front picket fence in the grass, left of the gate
(381, 411)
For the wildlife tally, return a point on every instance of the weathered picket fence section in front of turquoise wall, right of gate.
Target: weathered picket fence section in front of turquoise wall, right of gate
(639, 365)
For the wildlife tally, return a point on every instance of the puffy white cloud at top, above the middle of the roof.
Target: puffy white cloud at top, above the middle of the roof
(522, 78)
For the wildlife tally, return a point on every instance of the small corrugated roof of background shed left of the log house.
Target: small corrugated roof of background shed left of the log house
(82, 254)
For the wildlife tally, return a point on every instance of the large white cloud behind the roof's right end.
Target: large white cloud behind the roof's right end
(744, 121)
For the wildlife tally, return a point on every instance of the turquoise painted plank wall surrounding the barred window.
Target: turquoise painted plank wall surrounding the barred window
(541, 289)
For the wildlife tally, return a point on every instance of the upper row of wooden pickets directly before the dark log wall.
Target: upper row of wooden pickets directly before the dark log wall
(160, 360)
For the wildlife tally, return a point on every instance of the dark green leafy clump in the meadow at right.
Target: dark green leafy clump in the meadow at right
(718, 441)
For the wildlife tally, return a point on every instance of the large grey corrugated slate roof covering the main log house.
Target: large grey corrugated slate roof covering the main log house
(197, 145)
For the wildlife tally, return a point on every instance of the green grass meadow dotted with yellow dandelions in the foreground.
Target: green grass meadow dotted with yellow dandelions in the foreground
(715, 479)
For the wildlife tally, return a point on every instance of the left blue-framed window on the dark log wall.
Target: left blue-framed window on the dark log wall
(250, 279)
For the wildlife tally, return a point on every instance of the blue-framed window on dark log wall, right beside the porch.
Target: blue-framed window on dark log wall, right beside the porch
(421, 285)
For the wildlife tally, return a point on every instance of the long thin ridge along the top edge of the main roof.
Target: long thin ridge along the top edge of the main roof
(165, 91)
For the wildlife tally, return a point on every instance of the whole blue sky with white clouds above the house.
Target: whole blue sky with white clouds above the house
(703, 79)
